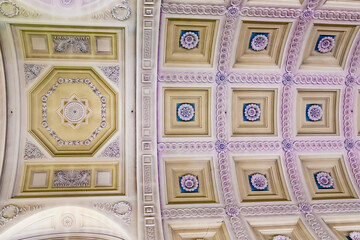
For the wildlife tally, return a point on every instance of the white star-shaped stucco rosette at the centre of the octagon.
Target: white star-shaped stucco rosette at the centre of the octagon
(74, 111)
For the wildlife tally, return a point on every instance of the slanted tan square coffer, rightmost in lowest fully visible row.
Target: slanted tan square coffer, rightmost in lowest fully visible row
(326, 177)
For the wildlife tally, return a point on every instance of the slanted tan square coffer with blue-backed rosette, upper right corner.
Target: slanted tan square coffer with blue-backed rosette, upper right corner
(328, 46)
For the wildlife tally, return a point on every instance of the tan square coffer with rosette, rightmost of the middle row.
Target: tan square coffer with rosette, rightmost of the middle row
(317, 112)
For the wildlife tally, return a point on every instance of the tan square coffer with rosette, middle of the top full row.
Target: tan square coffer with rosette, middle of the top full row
(261, 44)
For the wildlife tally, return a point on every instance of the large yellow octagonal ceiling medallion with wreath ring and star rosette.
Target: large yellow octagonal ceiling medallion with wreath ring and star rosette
(72, 111)
